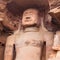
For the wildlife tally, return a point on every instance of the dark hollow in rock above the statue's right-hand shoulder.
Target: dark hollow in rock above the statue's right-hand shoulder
(52, 26)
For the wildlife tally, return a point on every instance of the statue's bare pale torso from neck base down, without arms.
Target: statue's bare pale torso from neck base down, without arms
(28, 45)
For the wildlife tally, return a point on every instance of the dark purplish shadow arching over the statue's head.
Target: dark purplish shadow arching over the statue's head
(17, 10)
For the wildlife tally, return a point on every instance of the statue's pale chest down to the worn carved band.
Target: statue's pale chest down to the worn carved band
(29, 38)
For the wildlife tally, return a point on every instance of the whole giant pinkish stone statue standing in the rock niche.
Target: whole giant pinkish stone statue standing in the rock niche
(29, 43)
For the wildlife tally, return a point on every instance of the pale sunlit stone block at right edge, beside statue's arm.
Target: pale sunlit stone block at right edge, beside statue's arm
(56, 45)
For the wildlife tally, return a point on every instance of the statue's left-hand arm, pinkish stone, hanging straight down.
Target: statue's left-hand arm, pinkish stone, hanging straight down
(9, 49)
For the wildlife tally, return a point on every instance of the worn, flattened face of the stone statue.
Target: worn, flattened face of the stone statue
(30, 17)
